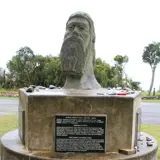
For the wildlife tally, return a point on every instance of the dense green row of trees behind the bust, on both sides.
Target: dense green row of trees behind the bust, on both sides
(26, 68)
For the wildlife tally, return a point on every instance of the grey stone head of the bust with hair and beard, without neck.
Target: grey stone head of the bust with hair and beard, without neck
(78, 47)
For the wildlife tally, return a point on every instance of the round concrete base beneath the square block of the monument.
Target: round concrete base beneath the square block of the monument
(13, 149)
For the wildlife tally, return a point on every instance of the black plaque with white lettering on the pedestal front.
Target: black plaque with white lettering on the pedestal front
(80, 133)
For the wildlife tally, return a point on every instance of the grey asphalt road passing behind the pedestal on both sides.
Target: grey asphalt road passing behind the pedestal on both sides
(150, 111)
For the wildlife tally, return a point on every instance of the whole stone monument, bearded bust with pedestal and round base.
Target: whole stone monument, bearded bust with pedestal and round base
(81, 121)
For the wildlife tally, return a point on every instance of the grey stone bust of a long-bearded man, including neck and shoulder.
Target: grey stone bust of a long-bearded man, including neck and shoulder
(78, 53)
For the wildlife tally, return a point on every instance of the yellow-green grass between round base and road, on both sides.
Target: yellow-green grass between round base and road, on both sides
(10, 122)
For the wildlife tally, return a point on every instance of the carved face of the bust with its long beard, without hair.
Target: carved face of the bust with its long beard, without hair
(76, 41)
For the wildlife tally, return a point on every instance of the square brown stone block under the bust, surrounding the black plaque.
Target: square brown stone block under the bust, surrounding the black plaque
(40, 109)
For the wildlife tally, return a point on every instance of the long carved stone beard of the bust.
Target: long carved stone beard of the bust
(73, 56)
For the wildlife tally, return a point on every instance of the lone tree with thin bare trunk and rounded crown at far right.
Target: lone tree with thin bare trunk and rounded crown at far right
(151, 55)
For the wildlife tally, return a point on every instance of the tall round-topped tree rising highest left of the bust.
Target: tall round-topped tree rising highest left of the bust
(22, 66)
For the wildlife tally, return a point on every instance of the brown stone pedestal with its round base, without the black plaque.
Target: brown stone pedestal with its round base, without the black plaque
(35, 137)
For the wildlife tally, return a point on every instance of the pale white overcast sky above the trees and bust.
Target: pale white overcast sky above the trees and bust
(122, 27)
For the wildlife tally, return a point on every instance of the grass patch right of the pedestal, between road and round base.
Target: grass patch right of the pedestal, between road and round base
(153, 131)
